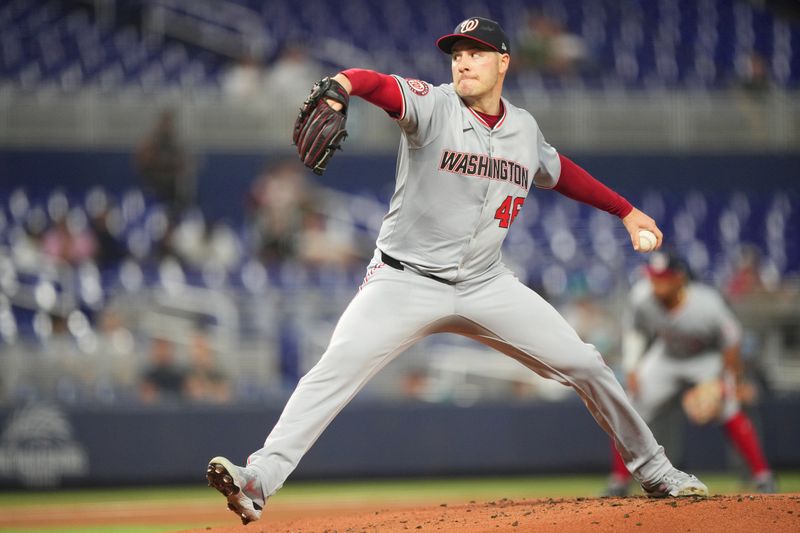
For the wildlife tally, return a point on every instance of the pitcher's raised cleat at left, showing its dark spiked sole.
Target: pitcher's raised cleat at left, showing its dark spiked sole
(241, 488)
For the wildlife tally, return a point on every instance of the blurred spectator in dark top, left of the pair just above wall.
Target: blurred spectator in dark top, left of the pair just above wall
(163, 380)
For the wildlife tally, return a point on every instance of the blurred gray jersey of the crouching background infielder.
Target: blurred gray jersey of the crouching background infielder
(702, 324)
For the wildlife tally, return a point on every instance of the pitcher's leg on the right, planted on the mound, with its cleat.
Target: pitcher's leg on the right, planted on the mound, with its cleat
(521, 324)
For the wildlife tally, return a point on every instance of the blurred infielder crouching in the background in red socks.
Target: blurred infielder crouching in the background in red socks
(680, 333)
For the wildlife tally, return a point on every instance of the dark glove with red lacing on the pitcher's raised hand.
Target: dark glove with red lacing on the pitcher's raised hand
(319, 130)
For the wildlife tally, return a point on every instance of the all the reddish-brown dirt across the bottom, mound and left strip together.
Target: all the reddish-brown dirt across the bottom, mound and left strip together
(719, 514)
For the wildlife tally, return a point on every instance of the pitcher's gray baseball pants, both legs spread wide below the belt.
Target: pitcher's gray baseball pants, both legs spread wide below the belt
(393, 309)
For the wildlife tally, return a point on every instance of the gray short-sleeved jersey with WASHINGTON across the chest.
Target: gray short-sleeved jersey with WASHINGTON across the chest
(460, 183)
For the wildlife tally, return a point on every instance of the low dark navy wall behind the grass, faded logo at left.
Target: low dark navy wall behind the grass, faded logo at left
(46, 445)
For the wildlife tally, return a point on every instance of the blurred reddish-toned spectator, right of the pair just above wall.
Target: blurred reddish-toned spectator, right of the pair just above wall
(206, 382)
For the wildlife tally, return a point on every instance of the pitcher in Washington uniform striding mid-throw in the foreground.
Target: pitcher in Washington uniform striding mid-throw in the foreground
(466, 162)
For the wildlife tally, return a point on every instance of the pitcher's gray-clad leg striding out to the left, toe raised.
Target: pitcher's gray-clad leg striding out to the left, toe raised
(391, 311)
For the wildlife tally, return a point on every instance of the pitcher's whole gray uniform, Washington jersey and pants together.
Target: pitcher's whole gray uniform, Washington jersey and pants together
(460, 185)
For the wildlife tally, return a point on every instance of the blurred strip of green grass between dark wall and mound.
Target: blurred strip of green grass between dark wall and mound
(432, 491)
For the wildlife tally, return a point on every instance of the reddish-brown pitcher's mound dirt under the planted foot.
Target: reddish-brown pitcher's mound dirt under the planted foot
(724, 514)
